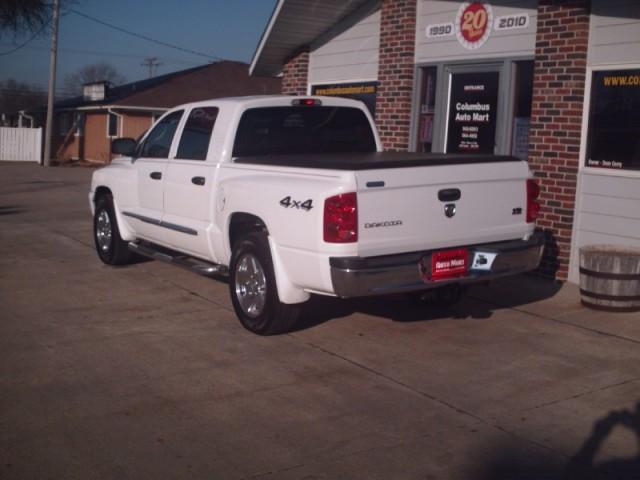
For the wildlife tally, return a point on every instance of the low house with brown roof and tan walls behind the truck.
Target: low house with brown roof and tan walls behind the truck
(85, 126)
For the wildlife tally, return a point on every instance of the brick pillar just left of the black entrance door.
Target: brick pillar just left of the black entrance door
(395, 73)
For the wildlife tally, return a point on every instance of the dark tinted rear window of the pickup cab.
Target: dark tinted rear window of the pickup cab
(299, 130)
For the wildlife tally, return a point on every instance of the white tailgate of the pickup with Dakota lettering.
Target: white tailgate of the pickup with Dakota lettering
(405, 209)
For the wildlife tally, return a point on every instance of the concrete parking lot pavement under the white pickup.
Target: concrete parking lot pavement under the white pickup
(143, 372)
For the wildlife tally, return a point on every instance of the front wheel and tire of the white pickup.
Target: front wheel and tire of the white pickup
(111, 249)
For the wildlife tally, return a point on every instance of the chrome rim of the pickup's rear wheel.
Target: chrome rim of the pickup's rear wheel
(250, 285)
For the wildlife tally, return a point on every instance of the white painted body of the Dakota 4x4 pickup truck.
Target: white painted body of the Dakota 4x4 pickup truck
(189, 206)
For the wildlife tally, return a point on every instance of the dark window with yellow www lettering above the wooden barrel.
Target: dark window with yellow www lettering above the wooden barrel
(613, 139)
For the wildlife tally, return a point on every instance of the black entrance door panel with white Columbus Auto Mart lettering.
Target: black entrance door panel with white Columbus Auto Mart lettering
(473, 110)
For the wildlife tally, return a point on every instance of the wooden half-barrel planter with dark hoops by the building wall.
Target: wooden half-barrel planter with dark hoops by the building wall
(610, 278)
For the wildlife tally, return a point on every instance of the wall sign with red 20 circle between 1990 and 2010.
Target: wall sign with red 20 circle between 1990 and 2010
(474, 23)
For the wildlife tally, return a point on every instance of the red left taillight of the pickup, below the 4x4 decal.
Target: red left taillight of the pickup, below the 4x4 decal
(341, 218)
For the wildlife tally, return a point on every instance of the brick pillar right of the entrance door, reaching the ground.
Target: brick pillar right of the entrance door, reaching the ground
(556, 122)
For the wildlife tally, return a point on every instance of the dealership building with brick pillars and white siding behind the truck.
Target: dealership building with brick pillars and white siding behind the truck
(551, 81)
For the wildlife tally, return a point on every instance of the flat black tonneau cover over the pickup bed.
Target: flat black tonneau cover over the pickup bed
(371, 161)
